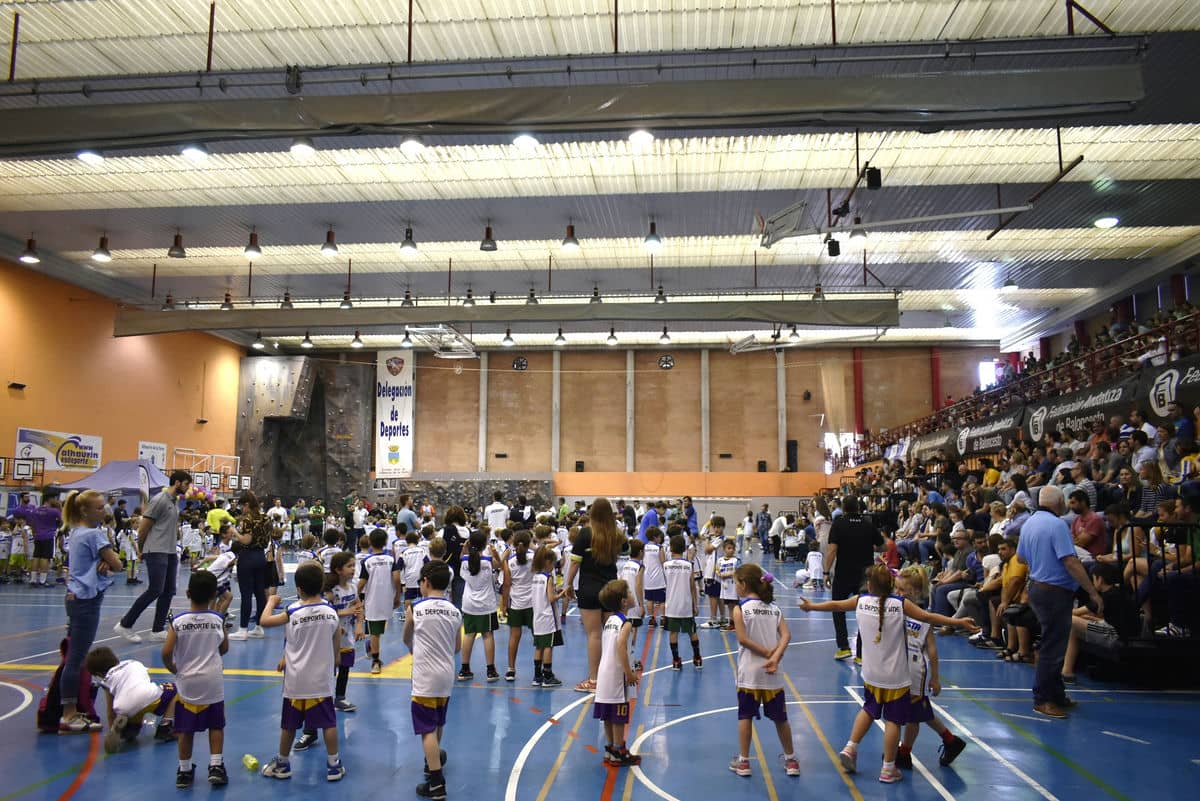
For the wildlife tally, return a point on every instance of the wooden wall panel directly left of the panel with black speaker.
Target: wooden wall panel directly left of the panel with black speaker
(743, 419)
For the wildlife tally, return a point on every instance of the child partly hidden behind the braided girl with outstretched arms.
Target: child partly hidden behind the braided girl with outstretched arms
(914, 586)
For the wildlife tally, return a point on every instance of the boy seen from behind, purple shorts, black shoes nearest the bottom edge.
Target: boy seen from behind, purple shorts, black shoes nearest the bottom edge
(431, 634)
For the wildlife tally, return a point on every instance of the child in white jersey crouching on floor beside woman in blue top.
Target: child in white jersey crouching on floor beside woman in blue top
(131, 697)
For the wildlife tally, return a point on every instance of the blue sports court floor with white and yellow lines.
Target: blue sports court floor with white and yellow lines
(512, 743)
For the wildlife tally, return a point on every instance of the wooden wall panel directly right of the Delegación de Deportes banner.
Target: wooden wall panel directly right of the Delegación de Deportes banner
(447, 415)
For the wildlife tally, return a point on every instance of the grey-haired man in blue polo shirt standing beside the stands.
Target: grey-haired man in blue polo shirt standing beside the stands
(1055, 575)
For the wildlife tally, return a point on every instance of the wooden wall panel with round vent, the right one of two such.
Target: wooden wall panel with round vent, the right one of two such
(667, 424)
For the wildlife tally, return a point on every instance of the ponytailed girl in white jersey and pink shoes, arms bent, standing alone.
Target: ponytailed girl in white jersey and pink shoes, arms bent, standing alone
(764, 639)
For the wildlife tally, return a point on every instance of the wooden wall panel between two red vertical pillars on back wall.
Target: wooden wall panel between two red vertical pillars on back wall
(896, 387)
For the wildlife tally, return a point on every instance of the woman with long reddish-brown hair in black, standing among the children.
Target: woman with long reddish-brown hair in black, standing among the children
(595, 558)
